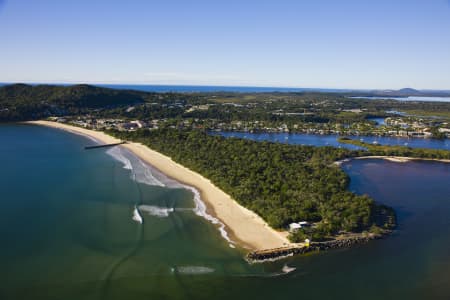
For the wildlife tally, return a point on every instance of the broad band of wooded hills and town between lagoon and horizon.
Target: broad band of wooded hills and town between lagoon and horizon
(307, 113)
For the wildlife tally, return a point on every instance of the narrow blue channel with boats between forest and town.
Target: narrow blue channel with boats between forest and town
(332, 140)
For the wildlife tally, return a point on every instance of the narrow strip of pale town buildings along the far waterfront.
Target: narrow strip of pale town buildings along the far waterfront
(408, 127)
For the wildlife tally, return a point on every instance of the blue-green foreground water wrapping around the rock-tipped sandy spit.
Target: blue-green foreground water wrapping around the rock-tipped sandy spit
(67, 232)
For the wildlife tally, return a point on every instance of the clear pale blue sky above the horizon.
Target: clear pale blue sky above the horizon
(358, 44)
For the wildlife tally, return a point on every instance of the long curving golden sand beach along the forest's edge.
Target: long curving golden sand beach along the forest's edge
(243, 226)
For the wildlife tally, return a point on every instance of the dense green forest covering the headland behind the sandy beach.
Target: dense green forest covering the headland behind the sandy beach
(282, 183)
